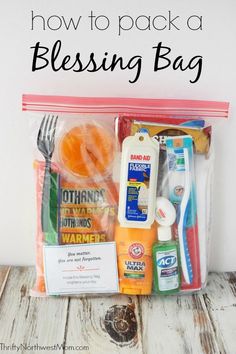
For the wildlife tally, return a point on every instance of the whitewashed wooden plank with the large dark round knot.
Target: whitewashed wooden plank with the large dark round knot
(106, 324)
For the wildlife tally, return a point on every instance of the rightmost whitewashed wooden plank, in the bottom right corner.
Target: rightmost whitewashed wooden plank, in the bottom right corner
(220, 299)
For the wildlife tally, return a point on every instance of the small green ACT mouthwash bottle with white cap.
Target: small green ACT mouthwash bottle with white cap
(166, 263)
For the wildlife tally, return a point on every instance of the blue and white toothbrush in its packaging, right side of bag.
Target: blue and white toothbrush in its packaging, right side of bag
(183, 196)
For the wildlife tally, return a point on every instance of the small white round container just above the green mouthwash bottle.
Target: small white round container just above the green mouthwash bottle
(165, 212)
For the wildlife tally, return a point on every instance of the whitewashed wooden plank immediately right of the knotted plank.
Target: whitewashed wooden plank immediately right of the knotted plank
(177, 324)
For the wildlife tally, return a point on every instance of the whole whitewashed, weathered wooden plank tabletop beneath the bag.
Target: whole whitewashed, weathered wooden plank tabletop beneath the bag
(198, 323)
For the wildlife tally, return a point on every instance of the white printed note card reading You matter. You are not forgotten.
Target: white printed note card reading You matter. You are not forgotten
(84, 268)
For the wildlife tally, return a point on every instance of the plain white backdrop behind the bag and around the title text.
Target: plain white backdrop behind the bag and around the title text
(216, 43)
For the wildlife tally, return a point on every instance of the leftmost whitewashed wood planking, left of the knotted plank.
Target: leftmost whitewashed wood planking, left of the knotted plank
(30, 320)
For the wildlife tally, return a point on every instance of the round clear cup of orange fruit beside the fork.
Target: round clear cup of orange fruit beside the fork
(87, 150)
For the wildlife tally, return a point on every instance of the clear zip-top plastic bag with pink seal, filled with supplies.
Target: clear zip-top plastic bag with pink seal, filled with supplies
(123, 193)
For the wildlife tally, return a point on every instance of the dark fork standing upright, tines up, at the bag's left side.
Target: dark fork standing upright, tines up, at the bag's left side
(46, 145)
